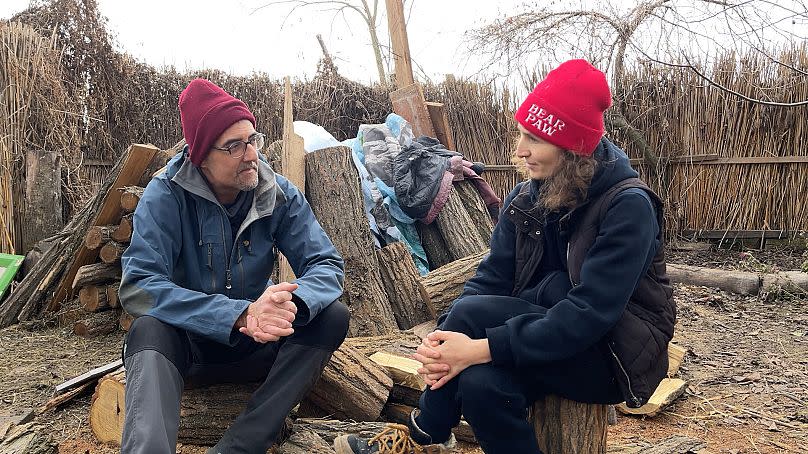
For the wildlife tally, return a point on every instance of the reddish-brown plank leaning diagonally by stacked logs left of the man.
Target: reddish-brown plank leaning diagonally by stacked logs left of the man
(138, 158)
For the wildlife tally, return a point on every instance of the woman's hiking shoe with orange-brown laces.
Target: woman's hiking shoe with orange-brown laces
(394, 439)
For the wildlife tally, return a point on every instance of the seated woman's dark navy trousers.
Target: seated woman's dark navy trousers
(494, 400)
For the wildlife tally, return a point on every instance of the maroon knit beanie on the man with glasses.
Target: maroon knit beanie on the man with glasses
(206, 111)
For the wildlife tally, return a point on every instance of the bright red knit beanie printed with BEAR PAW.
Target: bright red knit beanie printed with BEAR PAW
(566, 108)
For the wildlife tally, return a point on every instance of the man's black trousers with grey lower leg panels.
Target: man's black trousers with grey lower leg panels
(161, 360)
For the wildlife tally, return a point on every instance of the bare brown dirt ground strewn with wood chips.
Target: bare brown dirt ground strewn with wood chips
(746, 369)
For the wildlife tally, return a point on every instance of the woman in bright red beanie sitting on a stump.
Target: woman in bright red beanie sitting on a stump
(573, 299)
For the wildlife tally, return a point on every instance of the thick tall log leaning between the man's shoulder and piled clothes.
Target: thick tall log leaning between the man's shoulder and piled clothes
(331, 176)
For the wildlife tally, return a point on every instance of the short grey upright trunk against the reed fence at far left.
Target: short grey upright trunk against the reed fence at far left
(43, 197)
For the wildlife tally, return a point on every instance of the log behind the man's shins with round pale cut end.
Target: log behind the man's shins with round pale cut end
(205, 413)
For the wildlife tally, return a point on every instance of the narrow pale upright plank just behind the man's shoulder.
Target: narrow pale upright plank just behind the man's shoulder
(293, 166)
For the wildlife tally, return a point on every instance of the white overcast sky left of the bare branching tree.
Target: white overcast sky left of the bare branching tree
(228, 35)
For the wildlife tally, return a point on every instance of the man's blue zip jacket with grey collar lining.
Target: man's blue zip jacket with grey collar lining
(183, 267)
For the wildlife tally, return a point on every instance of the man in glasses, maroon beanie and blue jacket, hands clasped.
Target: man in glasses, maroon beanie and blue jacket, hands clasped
(197, 277)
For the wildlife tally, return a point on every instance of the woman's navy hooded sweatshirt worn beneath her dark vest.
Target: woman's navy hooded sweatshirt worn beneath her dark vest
(578, 317)
